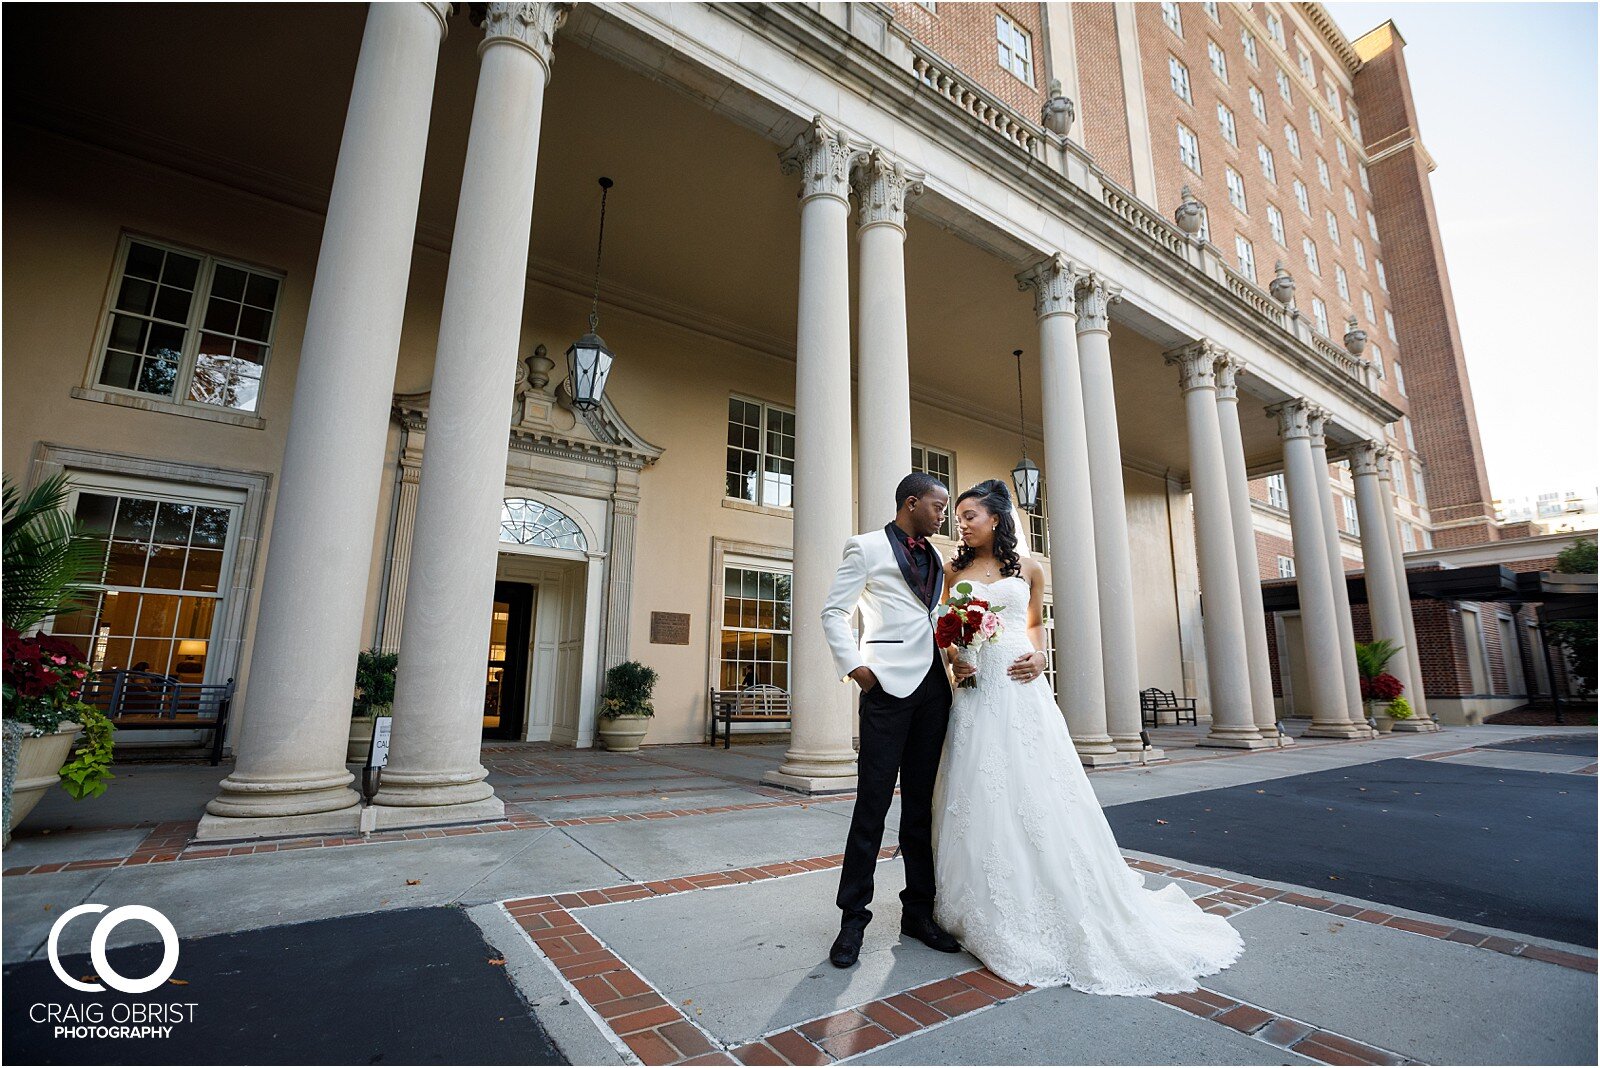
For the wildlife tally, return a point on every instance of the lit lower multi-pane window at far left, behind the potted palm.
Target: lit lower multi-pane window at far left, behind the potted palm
(161, 583)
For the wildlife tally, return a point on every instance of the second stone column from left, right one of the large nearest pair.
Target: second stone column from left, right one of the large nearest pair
(434, 775)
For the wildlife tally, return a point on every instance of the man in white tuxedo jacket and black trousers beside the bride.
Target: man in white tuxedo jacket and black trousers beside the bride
(895, 578)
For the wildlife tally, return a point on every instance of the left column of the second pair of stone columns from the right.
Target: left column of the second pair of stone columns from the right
(1324, 667)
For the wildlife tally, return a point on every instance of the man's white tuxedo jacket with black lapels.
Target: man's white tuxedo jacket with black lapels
(897, 637)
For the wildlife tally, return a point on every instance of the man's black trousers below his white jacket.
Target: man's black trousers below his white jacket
(900, 738)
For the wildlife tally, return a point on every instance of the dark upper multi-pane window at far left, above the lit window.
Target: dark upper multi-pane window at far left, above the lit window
(188, 329)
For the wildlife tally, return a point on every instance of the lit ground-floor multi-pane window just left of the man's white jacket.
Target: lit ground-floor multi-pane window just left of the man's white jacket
(756, 628)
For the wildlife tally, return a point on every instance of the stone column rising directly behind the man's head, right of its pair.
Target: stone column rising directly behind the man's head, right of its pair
(884, 364)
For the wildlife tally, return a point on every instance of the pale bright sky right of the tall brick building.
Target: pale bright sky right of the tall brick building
(1506, 100)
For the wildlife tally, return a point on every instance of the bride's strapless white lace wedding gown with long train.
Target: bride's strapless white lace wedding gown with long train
(1028, 872)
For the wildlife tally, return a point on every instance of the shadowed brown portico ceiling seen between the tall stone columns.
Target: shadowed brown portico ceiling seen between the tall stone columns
(700, 223)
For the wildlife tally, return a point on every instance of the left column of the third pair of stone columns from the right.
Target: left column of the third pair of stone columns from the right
(1222, 613)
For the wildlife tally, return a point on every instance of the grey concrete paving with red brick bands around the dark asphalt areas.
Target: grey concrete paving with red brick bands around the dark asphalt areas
(670, 907)
